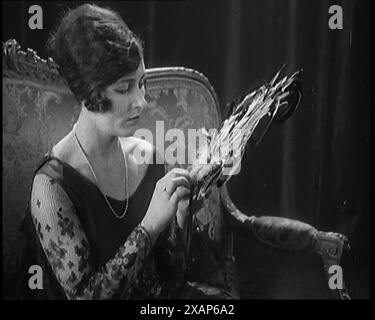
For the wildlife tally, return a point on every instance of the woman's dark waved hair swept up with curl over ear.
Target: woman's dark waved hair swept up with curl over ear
(93, 48)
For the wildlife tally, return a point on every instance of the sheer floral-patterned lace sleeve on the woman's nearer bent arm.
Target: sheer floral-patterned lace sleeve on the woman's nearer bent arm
(67, 249)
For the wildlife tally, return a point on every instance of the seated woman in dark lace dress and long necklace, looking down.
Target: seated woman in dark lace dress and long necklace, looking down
(96, 211)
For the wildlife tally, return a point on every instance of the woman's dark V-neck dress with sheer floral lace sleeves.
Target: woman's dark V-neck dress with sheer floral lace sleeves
(85, 251)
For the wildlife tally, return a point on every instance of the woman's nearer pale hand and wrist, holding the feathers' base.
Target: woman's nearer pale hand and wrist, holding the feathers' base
(169, 190)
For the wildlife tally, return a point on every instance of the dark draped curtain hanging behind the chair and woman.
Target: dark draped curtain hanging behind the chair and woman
(315, 167)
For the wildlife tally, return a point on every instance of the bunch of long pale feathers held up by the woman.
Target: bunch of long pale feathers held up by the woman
(234, 133)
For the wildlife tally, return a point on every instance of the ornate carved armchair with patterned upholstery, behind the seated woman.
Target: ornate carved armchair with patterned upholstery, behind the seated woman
(39, 109)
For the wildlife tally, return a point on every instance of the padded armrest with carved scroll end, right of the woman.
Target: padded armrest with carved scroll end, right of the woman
(290, 235)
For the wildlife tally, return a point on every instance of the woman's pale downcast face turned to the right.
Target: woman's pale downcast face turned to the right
(128, 100)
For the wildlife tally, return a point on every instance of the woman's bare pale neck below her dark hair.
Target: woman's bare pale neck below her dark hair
(96, 142)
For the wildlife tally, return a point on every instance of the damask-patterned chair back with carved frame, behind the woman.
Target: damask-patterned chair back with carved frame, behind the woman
(39, 109)
